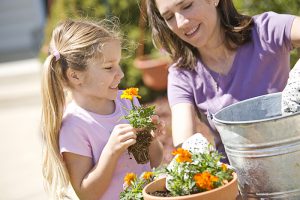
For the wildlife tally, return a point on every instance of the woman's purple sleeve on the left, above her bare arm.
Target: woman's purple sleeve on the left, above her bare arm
(179, 87)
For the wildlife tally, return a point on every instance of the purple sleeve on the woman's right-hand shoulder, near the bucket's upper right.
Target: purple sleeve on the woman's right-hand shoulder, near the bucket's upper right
(275, 30)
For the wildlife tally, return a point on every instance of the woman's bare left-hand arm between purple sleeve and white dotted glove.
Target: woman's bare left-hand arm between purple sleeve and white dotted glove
(183, 122)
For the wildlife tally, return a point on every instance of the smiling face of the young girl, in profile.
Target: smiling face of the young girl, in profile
(103, 75)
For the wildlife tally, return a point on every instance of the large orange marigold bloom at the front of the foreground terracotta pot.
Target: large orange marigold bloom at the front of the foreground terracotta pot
(205, 180)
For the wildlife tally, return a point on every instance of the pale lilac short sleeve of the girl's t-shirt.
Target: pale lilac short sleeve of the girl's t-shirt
(73, 139)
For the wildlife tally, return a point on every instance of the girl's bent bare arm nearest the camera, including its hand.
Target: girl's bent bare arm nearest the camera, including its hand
(91, 182)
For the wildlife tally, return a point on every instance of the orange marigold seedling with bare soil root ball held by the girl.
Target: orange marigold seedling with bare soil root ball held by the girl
(140, 118)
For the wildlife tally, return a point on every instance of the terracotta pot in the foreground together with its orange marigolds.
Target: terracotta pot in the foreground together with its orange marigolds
(194, 176)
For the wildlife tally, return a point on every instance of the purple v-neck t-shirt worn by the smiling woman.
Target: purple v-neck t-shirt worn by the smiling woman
(260, 67)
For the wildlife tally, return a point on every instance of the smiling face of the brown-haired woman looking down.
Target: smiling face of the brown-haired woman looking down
(194, 21)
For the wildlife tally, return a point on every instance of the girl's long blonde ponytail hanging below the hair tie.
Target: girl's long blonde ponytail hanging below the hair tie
(53, 103)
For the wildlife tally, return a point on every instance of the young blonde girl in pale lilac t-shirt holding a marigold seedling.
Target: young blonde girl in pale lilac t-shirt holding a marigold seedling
(85, 140)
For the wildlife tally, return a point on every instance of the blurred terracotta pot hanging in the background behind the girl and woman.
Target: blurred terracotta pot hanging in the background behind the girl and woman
(154, 71)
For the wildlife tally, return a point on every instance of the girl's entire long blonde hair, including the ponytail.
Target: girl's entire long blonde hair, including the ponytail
(72, 45)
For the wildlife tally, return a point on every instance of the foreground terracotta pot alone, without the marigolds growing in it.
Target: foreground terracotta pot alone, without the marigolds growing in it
(225, 192)
